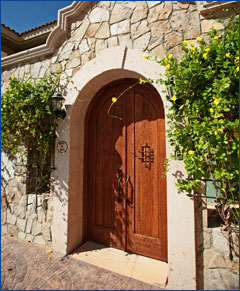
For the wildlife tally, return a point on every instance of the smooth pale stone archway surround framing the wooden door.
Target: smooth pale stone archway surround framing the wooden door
(110, 65)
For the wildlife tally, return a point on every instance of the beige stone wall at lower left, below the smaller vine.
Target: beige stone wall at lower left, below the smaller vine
(19, 215)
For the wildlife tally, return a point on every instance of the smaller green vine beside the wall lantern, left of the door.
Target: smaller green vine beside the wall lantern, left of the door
(27, 119)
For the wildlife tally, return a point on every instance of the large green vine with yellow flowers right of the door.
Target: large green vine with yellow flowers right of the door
(203, 118)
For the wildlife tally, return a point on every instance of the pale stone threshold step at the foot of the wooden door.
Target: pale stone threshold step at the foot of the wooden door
(138, 267)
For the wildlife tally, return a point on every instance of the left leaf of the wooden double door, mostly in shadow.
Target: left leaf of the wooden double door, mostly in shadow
(106, 217)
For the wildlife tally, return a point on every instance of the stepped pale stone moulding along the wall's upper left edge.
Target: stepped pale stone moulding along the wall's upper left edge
(54, 37)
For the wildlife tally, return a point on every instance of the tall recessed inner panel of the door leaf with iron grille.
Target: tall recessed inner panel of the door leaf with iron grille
(146, 172)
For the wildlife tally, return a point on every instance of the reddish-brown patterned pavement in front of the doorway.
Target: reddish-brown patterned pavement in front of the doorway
(26, 266)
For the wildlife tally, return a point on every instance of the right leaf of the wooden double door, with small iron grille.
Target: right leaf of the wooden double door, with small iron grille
(146, 210)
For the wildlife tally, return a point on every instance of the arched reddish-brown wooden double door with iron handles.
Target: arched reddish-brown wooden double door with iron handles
(126, 186)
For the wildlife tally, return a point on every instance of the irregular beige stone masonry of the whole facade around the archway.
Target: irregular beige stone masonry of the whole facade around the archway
(153, 27)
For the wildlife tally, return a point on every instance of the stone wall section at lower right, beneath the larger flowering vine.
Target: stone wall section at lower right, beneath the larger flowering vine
(215, 270)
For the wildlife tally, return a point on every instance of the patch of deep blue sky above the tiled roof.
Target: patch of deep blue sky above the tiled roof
(24, 15)
